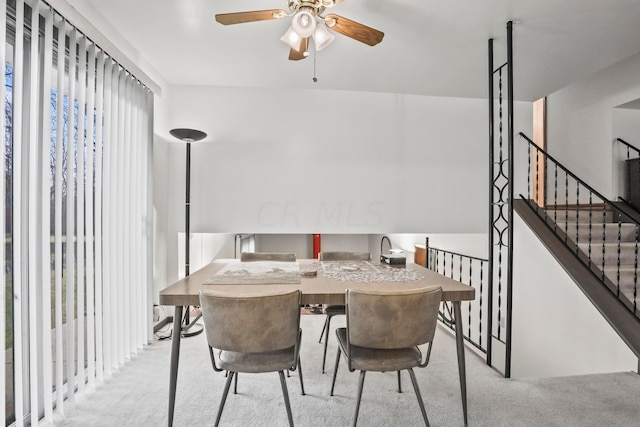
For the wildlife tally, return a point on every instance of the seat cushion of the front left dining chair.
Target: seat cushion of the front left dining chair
(271, 361)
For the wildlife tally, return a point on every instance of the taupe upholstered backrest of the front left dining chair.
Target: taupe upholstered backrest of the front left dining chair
(251, 324)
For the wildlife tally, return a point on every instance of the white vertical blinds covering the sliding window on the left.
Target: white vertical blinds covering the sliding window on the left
(77, 134)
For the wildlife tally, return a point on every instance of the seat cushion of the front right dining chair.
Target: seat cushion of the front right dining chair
(382, 360)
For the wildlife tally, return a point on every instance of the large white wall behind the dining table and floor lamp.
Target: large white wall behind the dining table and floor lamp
(292, 161)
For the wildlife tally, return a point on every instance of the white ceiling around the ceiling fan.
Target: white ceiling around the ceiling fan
(430, 47)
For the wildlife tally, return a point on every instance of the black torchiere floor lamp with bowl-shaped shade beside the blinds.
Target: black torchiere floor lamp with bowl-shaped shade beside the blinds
(188, 136)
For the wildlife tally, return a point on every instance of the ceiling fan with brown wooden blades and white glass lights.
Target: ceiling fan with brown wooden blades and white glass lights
(308, 22)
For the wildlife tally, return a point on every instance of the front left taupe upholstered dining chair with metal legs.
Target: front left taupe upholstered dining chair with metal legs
(253, 334)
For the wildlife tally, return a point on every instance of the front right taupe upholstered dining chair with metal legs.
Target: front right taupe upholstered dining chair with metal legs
(375, 340)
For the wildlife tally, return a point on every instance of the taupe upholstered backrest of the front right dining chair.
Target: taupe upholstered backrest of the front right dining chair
(392, 319)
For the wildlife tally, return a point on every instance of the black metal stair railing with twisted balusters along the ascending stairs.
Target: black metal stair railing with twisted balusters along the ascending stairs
(601, 234)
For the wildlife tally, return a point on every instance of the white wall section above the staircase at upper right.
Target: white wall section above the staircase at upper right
(580, 125)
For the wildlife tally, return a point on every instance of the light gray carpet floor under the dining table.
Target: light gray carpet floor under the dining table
(137, 394)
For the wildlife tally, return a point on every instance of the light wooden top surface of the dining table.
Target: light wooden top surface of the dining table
(315, 290)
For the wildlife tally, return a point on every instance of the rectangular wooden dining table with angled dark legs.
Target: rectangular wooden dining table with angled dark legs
(320, 282)
